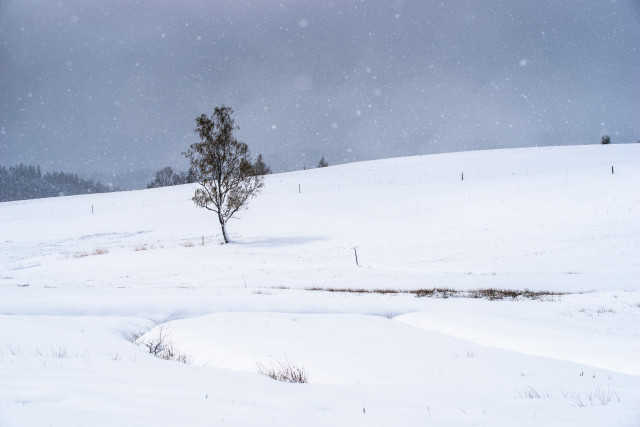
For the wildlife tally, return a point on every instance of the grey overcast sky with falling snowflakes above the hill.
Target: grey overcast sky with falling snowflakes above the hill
(113, 85)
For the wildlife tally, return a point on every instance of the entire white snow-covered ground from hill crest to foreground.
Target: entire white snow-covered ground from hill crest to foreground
(81, 276)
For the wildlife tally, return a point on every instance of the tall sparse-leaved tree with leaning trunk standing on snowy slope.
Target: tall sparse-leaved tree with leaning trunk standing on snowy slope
(222, 166)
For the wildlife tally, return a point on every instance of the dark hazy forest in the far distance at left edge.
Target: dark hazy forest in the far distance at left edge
(28, 182)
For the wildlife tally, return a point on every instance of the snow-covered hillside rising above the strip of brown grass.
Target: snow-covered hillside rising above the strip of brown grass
(543, 218)
